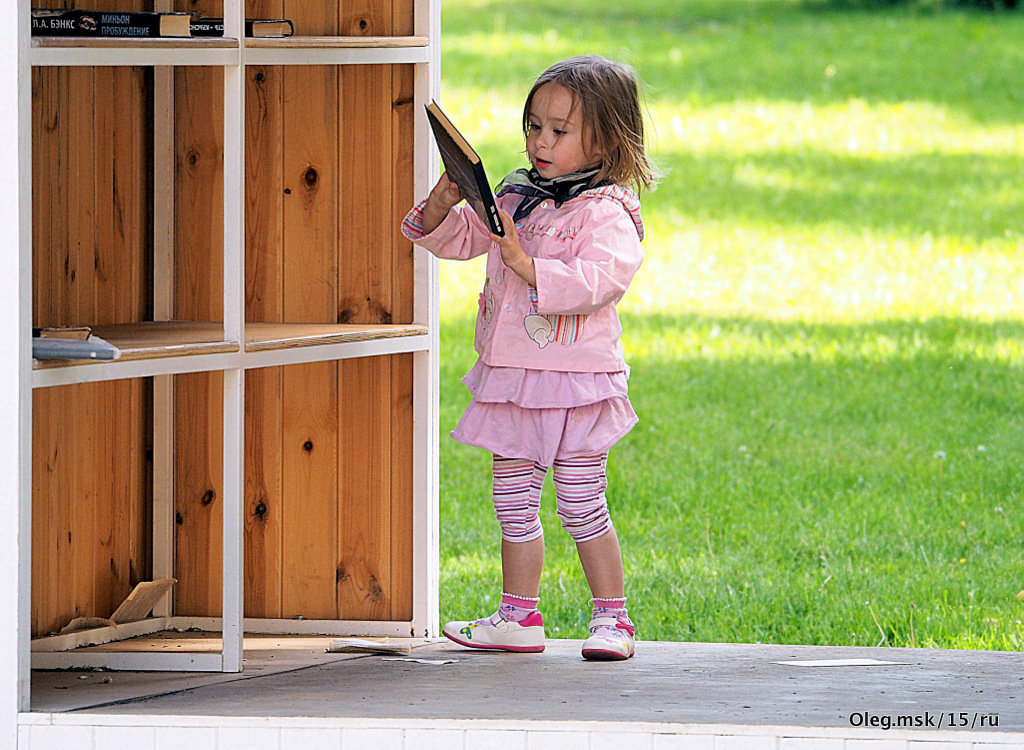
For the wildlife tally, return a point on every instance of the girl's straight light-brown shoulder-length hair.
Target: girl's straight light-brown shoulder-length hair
(609, 98)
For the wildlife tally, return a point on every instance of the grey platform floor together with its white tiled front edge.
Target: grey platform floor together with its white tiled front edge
(669, 696)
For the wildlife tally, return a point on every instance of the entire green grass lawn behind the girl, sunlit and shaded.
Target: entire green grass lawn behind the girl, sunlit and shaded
(828, 335)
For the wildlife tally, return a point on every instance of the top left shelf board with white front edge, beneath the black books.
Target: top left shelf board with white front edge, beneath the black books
(160, 52)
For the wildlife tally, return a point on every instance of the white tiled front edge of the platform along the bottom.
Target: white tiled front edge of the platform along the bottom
(96, 732)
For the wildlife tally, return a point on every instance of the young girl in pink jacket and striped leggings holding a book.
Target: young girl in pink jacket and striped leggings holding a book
(550, 386)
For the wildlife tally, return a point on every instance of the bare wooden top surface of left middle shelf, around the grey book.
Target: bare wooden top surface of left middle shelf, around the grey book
(155, 341)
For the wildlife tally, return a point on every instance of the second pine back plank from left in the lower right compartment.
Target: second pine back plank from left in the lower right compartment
(310, 477)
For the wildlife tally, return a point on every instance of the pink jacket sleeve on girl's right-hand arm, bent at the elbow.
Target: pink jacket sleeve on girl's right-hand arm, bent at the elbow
(608, 257)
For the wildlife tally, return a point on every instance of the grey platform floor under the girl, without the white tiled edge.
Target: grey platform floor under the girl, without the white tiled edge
(679, 684)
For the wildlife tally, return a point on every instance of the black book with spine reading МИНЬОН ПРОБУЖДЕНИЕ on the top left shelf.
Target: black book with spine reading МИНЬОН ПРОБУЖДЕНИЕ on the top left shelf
(127, 25)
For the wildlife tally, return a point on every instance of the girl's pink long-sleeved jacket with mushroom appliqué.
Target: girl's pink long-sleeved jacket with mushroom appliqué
(586, 254)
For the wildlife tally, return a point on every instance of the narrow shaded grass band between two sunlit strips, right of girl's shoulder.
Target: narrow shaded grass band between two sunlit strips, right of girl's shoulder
(963, 195)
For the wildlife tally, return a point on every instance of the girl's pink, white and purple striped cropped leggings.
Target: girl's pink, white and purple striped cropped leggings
(580, 485)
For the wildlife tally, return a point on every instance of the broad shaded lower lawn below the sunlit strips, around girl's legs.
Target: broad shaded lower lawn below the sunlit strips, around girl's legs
(785, 474)
